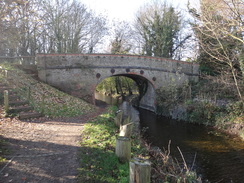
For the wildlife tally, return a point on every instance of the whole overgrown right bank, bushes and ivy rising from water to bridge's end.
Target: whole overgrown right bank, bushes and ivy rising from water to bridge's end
(205, 102)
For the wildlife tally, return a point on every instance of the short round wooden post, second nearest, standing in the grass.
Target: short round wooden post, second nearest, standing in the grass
(123, 149)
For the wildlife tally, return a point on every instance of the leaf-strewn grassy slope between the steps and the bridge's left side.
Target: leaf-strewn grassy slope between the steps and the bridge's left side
(44, 98)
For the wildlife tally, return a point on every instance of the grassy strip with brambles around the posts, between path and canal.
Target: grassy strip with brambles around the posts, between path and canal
(98, 162)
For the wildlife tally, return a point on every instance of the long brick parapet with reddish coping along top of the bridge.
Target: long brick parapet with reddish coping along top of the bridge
(65, 61)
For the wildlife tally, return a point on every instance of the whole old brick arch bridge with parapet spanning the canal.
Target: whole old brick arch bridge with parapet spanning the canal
(79, 74)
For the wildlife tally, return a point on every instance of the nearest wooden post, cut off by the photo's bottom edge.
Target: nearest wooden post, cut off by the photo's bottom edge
(140, 171)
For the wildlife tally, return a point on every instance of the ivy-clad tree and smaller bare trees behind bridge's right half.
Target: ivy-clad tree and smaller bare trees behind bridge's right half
(157, 31)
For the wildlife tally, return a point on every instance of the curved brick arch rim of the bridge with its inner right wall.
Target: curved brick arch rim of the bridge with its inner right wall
(147, 94)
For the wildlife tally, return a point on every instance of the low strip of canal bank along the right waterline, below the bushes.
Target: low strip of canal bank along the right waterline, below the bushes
(227, 117)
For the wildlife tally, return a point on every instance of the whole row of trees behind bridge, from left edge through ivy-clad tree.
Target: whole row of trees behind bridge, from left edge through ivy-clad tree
(67, 26)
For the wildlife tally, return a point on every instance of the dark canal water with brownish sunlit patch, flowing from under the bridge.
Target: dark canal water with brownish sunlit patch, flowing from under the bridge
(217, 158)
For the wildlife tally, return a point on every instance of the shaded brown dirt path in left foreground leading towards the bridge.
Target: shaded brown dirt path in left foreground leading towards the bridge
(43, 151)
